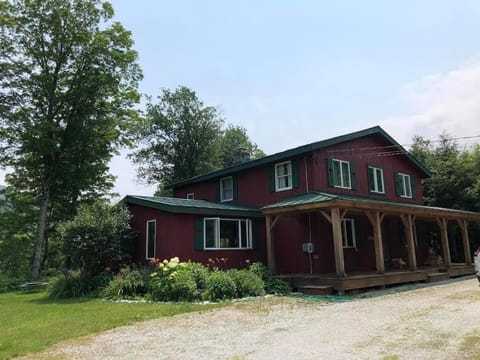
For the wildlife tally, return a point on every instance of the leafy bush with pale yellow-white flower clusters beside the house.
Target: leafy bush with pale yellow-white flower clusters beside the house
(175, 281)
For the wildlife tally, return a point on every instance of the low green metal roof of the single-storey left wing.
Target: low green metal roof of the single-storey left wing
(187, 206)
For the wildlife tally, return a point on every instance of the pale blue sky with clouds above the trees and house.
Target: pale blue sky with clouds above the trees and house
(297, 72)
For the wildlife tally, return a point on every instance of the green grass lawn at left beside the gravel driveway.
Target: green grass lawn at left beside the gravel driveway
(30, 322)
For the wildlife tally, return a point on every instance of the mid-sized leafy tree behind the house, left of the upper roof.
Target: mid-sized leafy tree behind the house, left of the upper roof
(179, 140)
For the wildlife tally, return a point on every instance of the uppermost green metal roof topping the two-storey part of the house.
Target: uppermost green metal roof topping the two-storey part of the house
(301, 150)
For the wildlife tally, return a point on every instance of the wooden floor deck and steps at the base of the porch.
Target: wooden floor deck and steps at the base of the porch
(361, 280)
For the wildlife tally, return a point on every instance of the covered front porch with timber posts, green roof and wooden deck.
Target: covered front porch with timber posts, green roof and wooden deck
(334, 208)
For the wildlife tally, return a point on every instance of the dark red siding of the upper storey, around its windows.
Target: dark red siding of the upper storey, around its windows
(253, 182)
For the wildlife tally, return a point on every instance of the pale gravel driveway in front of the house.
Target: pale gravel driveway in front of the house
(434, 322)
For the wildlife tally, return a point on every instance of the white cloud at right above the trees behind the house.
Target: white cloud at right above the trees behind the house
(440, 102)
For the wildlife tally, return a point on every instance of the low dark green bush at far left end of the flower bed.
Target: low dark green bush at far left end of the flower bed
(76, 284)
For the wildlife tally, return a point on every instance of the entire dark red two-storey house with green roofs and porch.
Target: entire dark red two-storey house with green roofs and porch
(344, 212)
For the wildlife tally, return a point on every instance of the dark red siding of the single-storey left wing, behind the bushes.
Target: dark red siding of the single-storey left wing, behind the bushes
(175, 237)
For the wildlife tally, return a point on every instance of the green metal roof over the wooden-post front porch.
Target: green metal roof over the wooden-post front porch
(320, 200)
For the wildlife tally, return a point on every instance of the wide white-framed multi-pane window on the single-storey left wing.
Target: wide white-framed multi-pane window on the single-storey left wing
(227, 233)
